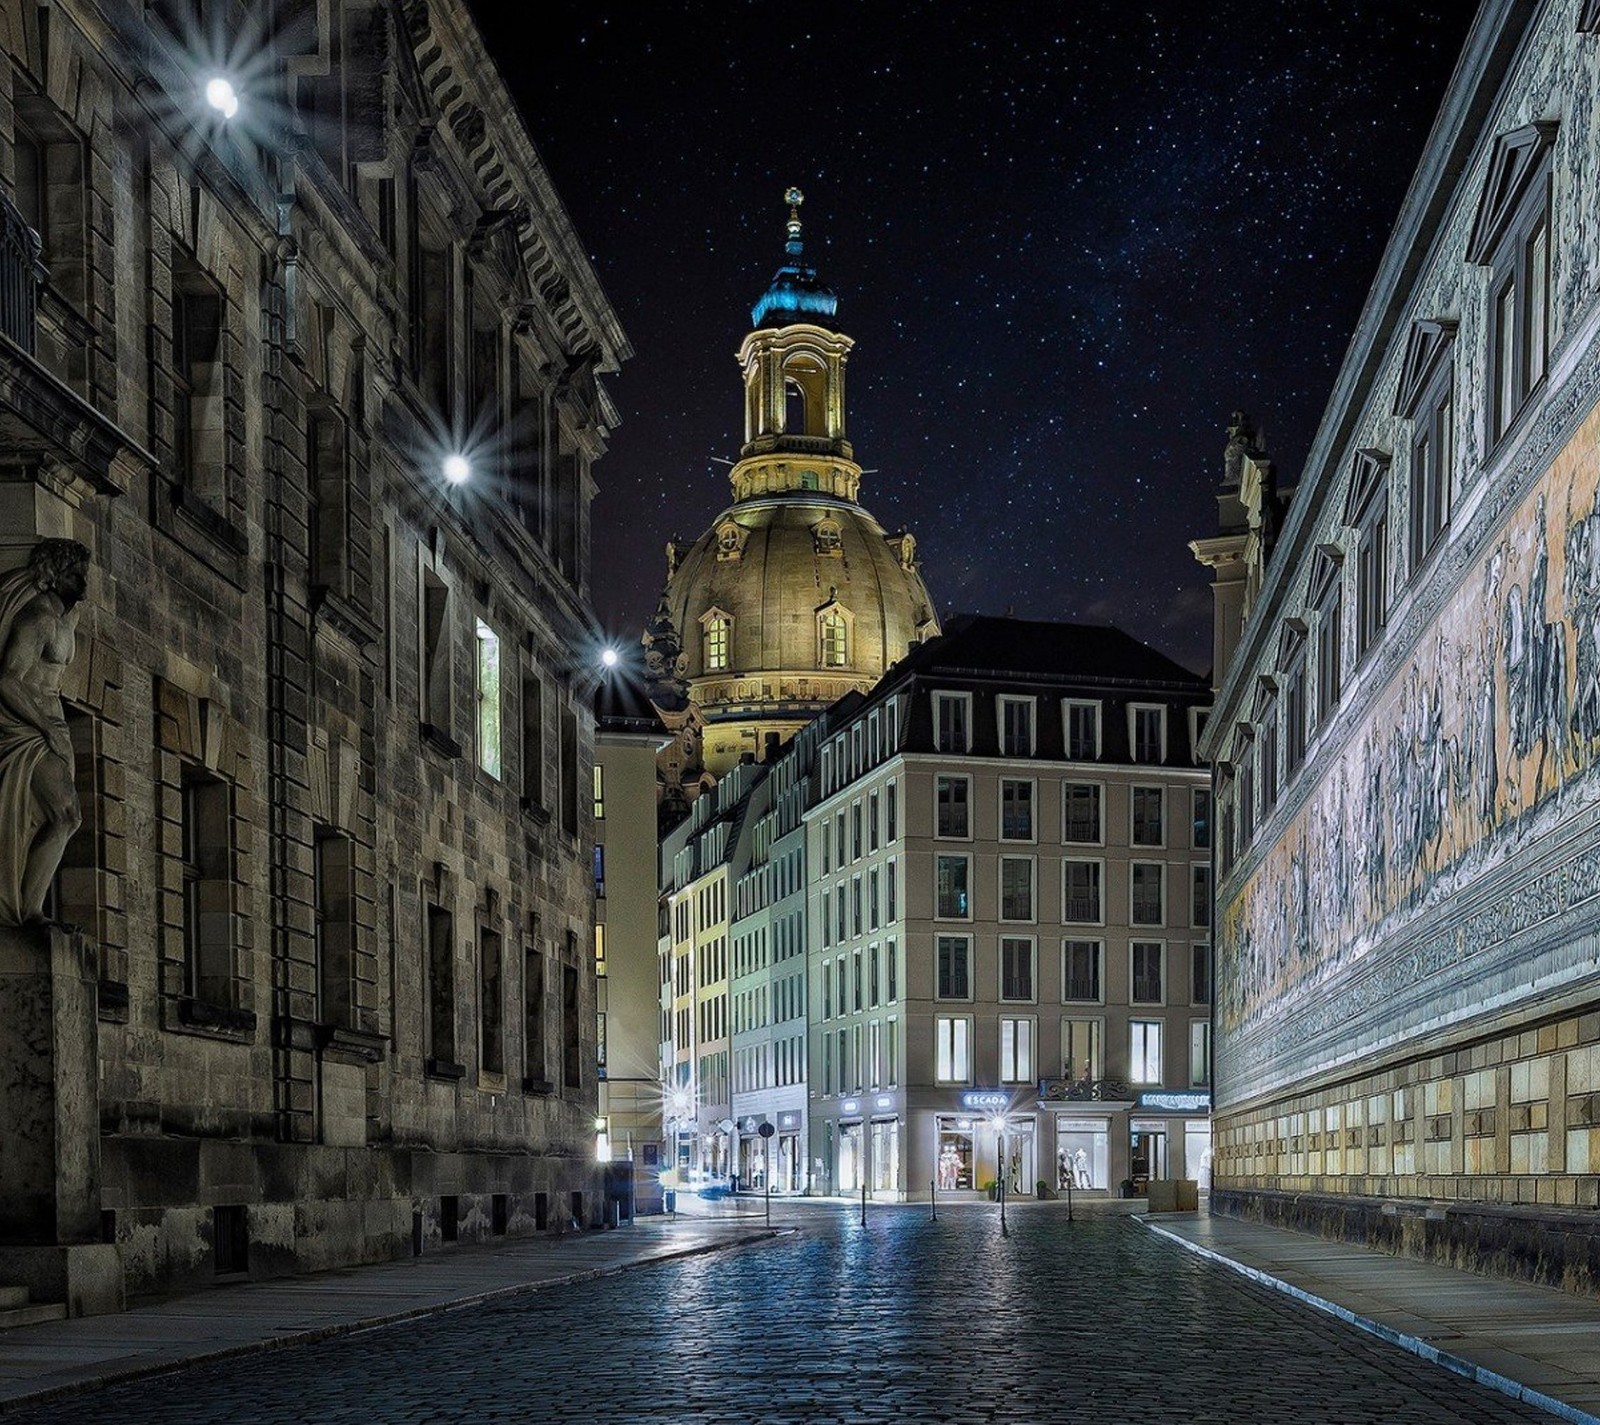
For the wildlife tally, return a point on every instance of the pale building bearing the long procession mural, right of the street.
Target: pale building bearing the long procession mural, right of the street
(1407, 740)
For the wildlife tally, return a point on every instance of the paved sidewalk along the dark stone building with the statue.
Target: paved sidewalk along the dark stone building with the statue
(65, 1357)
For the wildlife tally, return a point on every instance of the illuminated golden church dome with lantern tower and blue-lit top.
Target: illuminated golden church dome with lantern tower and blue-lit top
(794, 596)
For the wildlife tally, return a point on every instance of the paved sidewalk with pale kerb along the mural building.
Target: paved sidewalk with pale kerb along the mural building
(1530, 1343)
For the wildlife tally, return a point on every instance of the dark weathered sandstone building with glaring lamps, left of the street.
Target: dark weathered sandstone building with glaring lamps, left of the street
(308, 361)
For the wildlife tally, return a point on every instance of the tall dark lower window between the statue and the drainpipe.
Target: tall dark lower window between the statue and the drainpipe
(209, 887)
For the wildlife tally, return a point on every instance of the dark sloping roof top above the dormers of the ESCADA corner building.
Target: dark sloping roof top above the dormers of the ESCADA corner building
(1018, 649)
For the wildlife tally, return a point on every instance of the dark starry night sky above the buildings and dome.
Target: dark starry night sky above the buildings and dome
(1068, 237)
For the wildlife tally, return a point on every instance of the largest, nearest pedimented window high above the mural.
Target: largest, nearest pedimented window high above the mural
(1511, 236)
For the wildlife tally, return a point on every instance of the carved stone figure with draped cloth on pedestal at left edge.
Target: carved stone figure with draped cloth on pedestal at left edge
(39, 802)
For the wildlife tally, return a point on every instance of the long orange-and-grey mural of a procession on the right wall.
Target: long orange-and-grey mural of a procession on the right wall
(1486, 738)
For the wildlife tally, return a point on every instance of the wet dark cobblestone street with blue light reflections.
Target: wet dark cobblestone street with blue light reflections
(908, 1320)
